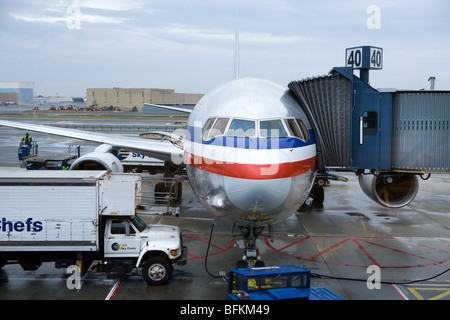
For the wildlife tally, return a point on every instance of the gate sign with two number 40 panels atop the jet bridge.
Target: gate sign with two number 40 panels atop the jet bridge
(364, 57)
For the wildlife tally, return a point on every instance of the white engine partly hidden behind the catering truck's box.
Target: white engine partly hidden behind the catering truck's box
(100, 159)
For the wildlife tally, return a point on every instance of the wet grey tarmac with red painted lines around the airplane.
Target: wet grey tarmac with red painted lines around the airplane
(353, 247)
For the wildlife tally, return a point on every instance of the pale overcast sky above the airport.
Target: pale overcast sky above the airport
(67, 46)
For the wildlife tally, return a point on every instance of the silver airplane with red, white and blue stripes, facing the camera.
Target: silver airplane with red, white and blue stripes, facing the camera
(249, 153)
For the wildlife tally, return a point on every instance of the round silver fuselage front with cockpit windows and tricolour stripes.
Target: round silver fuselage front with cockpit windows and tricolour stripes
(250, 154)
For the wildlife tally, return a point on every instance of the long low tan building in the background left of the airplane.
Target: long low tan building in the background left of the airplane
(134, 99)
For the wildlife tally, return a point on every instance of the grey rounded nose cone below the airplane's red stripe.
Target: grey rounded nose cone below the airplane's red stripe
(257, 195)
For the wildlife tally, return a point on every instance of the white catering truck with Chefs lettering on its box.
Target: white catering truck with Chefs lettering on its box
(83, 218)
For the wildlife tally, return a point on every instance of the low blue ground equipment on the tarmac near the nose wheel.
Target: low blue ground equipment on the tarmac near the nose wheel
(275, 283)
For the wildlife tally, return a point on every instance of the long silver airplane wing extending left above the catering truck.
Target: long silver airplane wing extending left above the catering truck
(162, 150)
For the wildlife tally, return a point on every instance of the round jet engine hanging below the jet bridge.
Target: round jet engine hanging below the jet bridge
(391, 190)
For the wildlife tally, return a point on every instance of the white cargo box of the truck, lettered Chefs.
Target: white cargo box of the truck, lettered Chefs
(59, 210)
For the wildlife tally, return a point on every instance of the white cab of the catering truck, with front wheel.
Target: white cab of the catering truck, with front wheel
(130, 242)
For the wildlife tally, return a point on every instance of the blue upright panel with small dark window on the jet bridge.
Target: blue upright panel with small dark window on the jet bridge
(365, 131)
